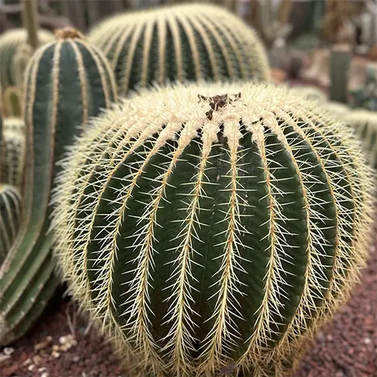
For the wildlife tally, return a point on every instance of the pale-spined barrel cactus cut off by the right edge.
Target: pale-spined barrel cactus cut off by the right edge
(365, 124)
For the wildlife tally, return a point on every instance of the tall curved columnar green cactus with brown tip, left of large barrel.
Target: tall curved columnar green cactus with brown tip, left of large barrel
(66, 82)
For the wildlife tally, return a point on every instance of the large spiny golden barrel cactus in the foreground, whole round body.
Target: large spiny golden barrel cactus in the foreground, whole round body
(212, 227)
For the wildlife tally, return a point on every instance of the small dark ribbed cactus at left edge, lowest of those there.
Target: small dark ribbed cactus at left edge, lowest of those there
(10, 214)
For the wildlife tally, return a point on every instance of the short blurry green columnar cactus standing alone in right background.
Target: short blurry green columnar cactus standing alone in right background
(339, 65)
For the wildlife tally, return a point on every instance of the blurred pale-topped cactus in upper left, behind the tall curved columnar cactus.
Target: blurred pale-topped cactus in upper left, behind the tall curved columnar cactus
(11, 43)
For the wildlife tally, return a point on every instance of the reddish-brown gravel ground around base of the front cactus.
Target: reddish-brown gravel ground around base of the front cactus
(62, 345)
